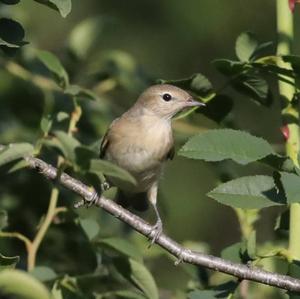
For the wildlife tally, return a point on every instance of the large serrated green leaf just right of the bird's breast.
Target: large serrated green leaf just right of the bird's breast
(218, 145)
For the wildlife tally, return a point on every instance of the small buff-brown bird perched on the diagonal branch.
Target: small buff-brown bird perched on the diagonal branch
(141, 141)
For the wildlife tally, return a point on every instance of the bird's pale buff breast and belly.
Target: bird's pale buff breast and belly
(141, 147)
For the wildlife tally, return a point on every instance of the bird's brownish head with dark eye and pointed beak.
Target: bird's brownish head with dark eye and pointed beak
(166, 100)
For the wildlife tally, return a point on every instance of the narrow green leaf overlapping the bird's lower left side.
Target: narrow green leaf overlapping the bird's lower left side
(107, 168)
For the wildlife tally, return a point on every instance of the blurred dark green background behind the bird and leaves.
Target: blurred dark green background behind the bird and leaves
(135, 42)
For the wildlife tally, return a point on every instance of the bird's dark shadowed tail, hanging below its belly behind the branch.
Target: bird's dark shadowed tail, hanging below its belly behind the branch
(137, 201)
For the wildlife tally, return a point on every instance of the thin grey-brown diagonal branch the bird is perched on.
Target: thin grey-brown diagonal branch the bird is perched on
(211, 262)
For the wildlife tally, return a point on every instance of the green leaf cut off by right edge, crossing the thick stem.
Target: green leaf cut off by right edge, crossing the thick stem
(291, 186)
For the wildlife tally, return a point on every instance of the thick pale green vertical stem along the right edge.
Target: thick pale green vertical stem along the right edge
(285, 36)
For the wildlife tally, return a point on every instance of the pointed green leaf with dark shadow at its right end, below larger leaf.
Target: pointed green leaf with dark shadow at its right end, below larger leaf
(250, 192)
